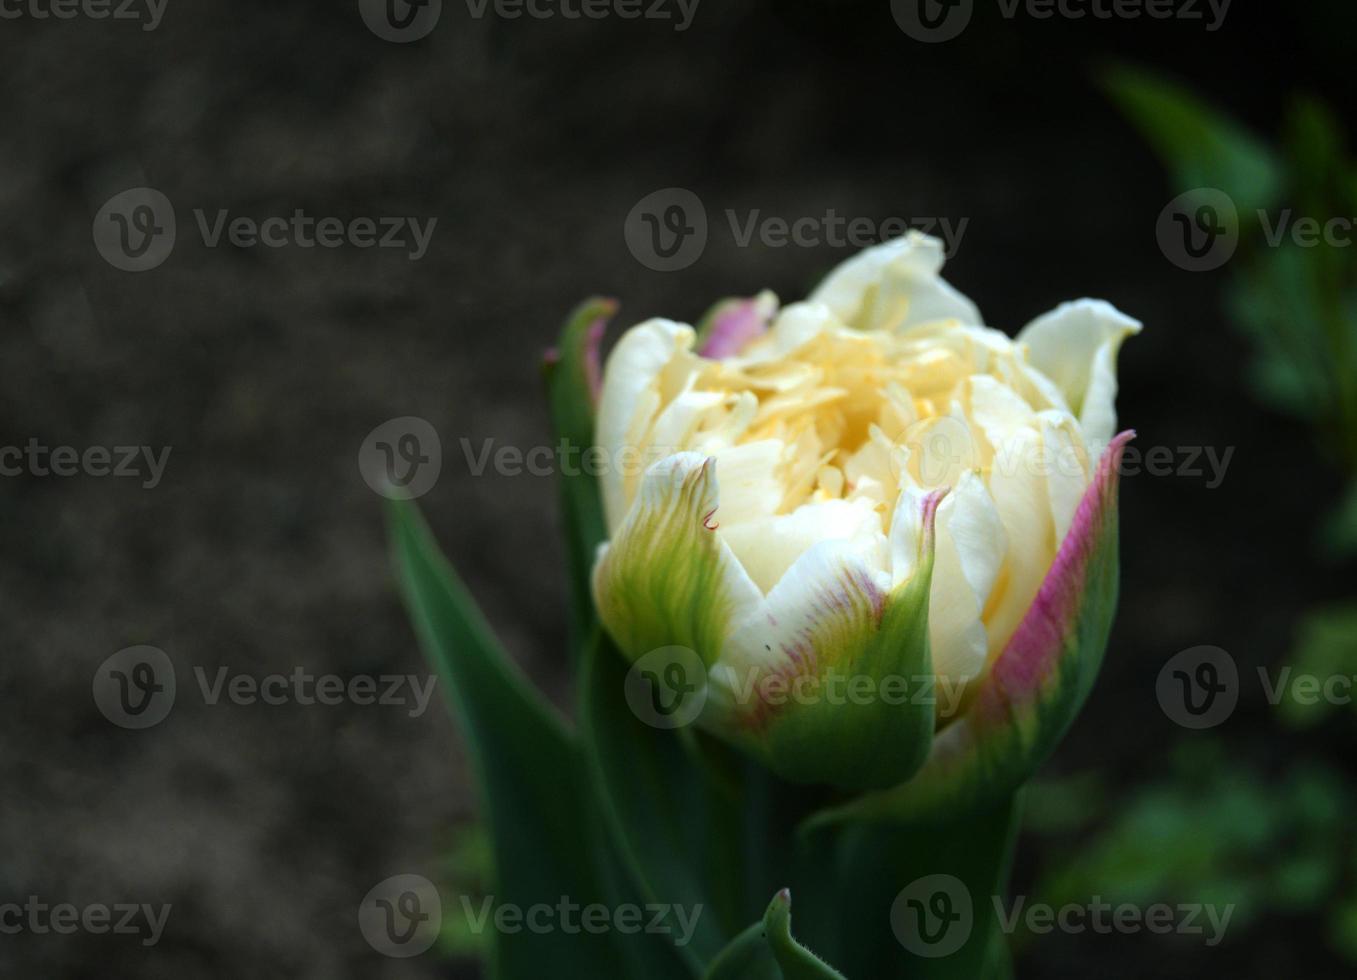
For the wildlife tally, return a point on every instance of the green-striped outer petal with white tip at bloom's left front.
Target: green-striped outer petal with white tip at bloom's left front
(667, 579)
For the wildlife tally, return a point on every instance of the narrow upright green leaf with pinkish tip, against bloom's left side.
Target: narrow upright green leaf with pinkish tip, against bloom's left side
(572, 375)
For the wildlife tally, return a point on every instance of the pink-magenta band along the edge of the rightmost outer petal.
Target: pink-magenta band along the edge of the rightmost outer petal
(1035, 649)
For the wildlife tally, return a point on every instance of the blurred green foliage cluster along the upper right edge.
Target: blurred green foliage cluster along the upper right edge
(1293, 297)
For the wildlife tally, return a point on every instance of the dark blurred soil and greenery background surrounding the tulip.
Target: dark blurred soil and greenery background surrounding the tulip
(530, 142)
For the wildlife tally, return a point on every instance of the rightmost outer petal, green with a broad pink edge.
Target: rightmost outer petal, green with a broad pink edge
(1037, 686)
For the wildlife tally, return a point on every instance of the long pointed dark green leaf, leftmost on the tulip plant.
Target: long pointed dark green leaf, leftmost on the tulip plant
(529, 769)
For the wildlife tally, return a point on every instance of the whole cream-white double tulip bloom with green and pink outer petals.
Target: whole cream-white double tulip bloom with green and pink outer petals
(869, 488)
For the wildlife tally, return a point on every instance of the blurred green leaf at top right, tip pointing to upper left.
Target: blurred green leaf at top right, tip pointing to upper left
(1200, 145)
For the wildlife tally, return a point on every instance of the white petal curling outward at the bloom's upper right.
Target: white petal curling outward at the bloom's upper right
(1075, 345)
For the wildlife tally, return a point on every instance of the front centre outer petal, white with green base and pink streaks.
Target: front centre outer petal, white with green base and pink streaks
(790, 687)
